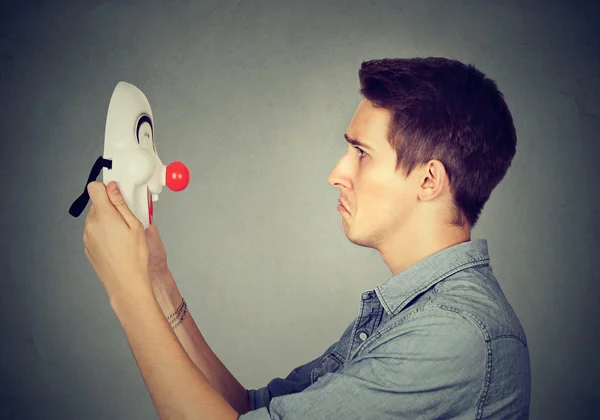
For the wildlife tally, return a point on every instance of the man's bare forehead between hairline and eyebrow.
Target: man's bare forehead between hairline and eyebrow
(369, 123)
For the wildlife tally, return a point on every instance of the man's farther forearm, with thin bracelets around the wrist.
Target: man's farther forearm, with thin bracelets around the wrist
(169, 297)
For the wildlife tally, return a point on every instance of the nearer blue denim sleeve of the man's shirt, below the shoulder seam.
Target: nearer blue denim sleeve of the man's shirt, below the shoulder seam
(432, 364)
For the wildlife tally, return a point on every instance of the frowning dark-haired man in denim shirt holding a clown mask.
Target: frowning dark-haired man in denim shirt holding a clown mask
(427, 145)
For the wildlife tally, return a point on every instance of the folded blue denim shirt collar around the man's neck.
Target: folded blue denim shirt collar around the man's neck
(396, 292)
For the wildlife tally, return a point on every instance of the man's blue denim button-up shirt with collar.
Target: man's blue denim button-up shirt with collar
(436, 341)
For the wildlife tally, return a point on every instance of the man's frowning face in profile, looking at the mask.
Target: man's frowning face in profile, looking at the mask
(379, 201)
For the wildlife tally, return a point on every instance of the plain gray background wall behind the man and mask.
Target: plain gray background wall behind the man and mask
(254, 97)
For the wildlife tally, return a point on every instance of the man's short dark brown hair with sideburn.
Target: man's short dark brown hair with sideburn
(446, 110)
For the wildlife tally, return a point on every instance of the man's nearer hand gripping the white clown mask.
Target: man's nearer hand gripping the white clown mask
(115, 242)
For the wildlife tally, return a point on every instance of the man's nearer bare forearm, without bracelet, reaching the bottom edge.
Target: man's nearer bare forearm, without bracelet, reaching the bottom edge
(179, 390)
